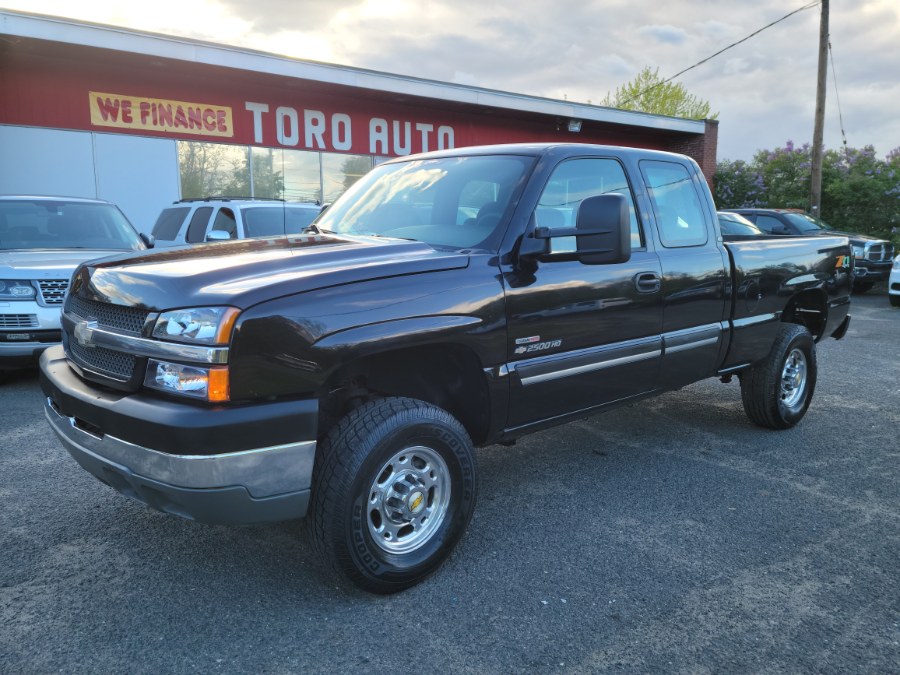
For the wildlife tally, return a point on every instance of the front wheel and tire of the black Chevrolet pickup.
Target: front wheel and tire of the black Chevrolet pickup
(393, 491)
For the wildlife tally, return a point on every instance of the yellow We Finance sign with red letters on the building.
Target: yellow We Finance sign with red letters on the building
(160, 115)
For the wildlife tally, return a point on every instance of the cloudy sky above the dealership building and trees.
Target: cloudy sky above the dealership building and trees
(763, 89)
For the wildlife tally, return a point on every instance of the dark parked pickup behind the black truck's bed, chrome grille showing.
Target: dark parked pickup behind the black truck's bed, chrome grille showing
(872, 256)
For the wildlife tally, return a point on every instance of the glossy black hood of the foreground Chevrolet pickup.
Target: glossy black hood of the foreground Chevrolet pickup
(245, 272)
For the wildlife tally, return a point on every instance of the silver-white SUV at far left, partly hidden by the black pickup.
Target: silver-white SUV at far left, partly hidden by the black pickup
(42, 241)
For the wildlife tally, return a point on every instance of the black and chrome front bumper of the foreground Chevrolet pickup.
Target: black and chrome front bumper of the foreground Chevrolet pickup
(246, 484)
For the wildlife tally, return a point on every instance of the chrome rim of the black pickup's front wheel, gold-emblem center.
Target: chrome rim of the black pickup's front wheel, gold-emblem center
(408, 500)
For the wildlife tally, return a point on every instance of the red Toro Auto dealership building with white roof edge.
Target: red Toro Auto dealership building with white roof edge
(143, 119)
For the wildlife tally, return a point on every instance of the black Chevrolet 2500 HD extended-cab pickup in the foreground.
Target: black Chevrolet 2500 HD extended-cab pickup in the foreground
(448, 300)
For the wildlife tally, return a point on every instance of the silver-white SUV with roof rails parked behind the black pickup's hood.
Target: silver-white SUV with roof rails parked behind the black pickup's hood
(192, 221)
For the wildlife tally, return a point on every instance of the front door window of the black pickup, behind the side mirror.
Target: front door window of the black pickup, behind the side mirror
(573, 181)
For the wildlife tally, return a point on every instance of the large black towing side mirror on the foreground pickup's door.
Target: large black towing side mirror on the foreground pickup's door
(602, 234)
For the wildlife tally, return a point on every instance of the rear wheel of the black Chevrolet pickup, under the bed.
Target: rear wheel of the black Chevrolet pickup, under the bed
(777, 391)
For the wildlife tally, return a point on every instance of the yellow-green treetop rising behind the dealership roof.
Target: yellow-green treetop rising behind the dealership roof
(648, 93)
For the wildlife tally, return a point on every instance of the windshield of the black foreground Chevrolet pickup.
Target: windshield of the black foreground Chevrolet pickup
(456, 202)
